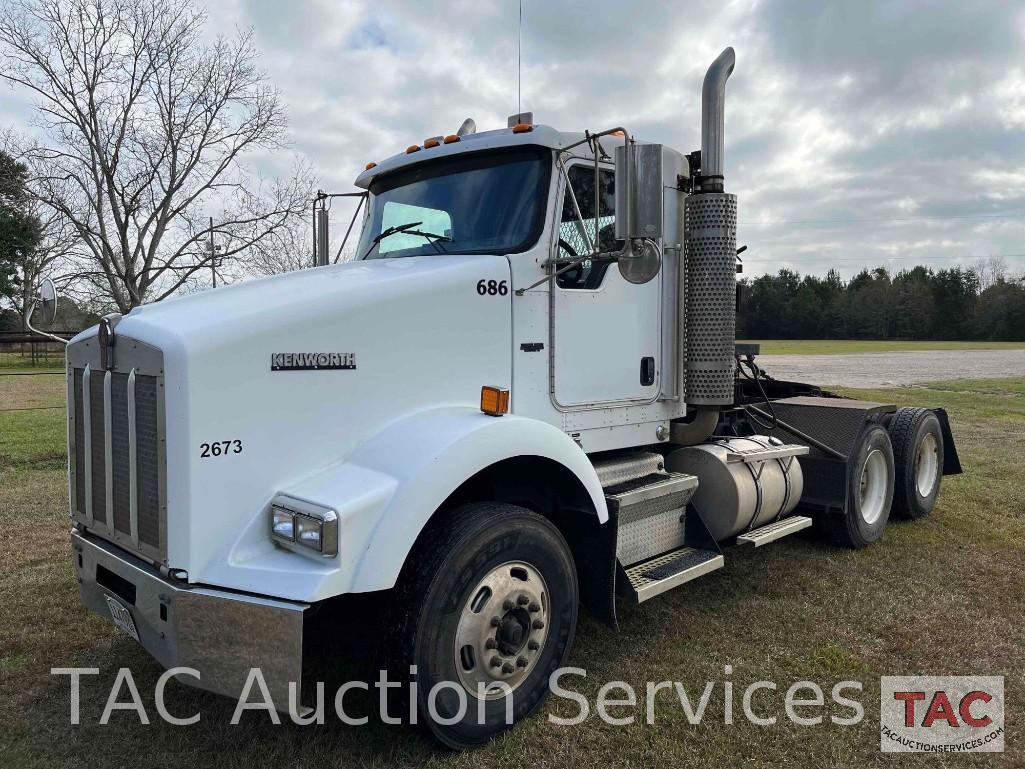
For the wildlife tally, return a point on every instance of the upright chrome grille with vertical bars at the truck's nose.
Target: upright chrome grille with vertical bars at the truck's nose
(116, 442)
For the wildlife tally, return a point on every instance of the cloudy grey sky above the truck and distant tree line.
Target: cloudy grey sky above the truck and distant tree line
(858, 134)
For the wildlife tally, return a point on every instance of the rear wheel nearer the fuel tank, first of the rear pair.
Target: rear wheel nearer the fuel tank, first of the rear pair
(871, 489)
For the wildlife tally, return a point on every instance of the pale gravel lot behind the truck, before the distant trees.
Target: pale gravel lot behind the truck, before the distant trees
(888, 370)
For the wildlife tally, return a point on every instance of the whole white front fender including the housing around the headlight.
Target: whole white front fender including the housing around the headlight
(385, 493)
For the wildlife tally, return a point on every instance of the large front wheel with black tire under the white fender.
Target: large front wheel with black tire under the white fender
(487, 561)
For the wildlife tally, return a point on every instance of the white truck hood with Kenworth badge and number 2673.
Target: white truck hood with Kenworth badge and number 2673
(418, 332)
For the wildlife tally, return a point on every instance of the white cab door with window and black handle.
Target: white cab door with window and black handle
(606, 331)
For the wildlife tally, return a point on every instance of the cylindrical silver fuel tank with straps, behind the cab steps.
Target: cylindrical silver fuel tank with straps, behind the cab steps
(744, 483)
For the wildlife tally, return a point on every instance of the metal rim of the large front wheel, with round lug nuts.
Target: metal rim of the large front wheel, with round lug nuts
(503, 629)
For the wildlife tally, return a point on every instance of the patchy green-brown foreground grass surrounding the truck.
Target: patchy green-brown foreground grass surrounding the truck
(941, 596)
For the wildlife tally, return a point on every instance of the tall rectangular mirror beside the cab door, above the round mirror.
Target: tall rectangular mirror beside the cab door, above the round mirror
(639, 192)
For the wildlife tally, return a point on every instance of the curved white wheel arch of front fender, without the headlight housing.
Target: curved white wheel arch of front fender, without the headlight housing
(430, 455)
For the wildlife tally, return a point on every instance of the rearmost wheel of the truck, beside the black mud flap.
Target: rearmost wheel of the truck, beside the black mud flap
(918, 442)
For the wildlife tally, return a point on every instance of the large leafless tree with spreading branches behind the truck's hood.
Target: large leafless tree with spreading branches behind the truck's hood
(146, 128)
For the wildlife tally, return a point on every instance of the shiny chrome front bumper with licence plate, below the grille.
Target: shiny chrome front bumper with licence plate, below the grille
(219, 633)
